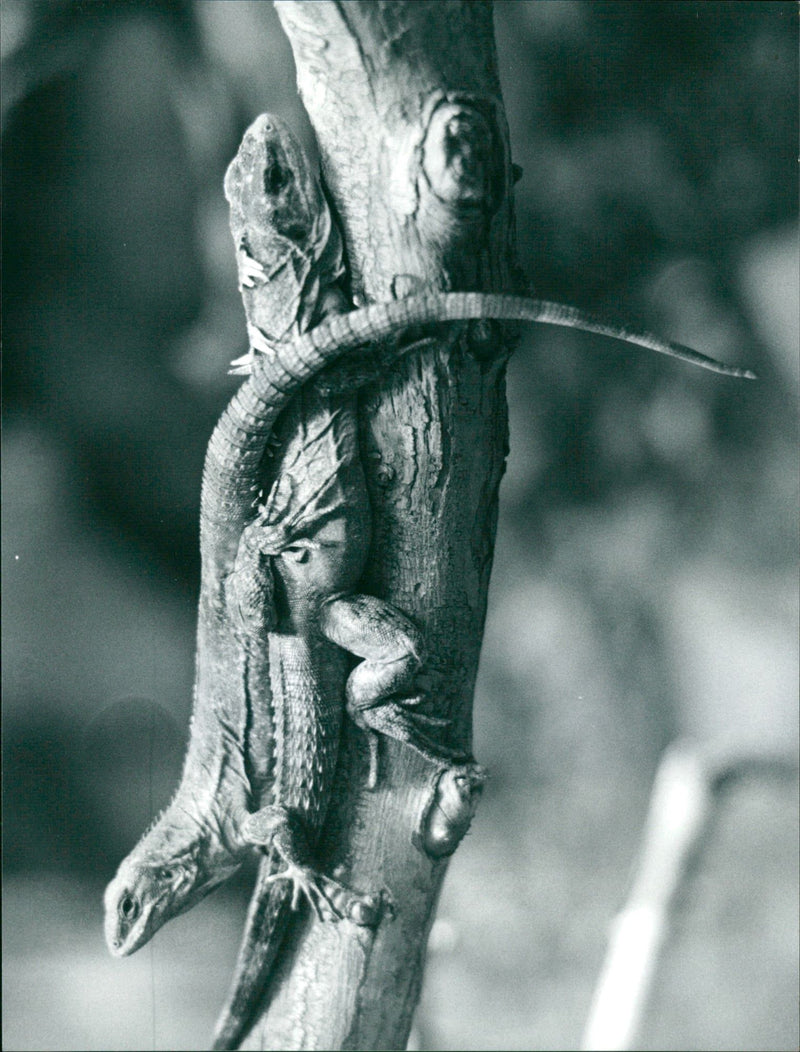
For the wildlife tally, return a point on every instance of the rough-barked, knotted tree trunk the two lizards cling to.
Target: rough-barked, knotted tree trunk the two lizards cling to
(406, 104)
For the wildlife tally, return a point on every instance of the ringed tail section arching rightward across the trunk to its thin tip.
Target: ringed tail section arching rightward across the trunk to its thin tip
(381, 320)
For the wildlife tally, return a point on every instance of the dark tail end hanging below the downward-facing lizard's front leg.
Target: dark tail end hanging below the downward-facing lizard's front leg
(266, 927)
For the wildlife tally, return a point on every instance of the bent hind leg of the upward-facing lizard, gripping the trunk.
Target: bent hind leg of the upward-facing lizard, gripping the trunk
(384, 692)
